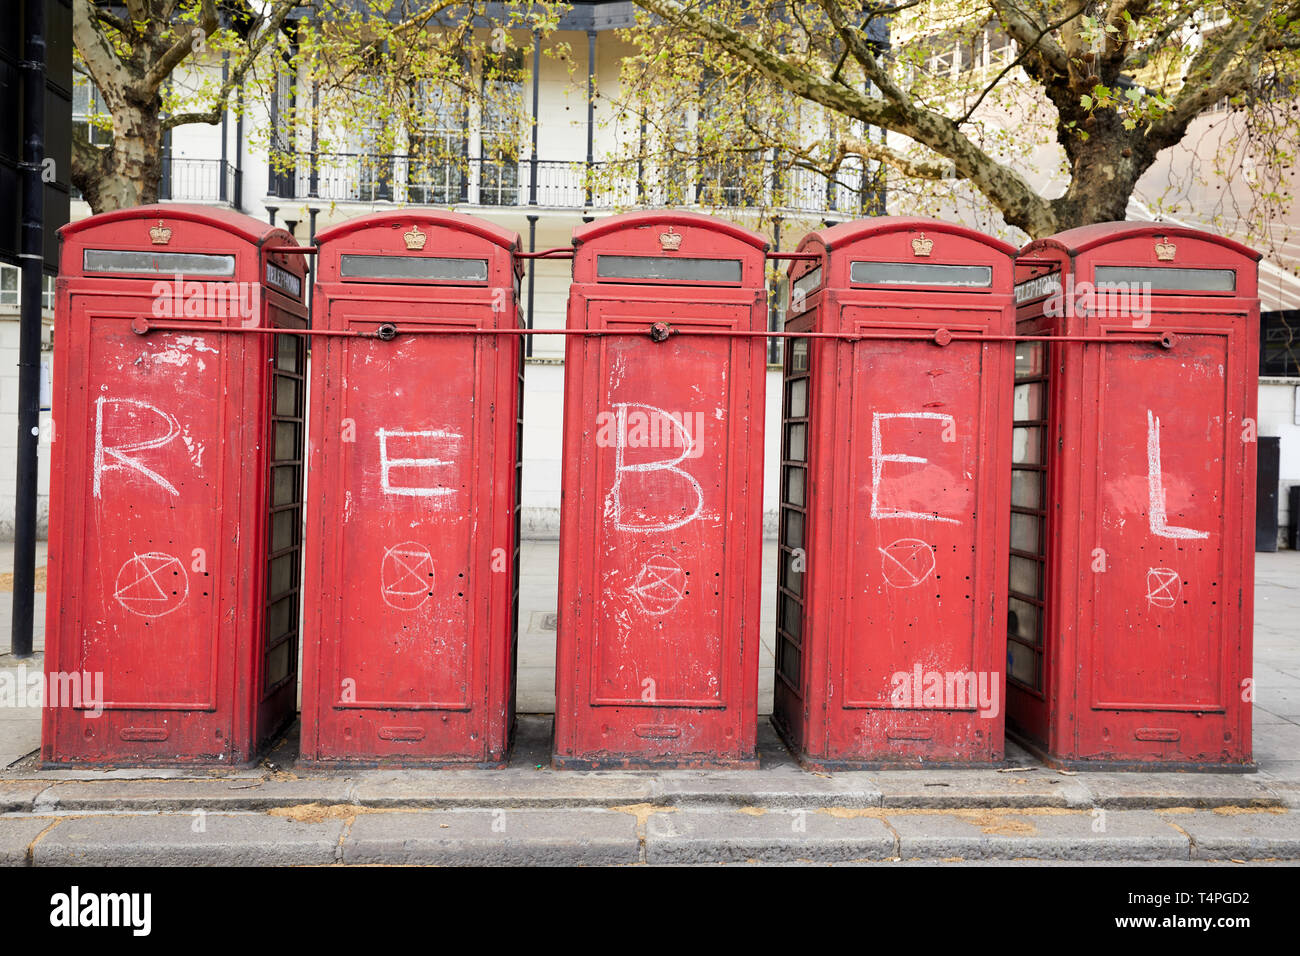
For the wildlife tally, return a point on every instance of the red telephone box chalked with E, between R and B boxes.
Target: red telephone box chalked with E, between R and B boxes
(415, 451)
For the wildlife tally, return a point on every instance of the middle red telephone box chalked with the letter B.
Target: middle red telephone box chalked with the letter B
(661, 530)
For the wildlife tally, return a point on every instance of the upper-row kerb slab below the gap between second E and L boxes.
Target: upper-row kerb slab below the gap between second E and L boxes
(1030, 786)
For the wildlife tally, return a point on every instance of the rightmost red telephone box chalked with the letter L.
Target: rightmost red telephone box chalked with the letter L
(1133, 499)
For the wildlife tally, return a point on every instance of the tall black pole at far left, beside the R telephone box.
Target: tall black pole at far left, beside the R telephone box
(29, 328)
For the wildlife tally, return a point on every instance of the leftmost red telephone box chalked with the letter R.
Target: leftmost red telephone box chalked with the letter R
(176, 490)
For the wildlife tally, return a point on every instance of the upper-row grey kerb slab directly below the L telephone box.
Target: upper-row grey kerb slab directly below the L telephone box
(1154, 790)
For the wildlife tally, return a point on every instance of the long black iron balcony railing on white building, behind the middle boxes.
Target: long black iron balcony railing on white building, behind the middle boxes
(564, 185)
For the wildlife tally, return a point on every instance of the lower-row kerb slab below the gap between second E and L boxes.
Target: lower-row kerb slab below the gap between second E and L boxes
(1078, 836)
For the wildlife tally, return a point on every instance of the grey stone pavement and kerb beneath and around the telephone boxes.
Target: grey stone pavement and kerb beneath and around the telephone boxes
(528, 814)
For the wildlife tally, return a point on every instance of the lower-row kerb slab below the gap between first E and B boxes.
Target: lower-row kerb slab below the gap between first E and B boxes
(495, 838)
